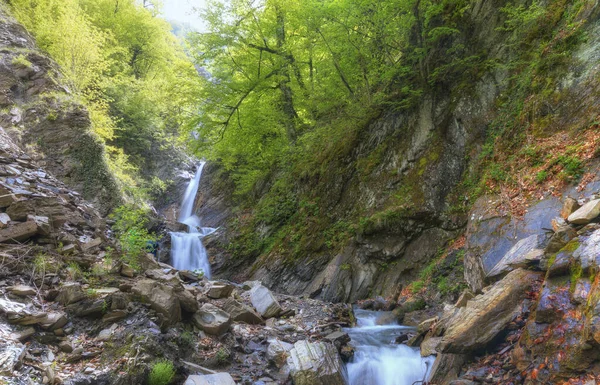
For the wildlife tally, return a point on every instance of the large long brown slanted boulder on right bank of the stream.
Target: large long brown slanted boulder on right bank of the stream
(473, 327)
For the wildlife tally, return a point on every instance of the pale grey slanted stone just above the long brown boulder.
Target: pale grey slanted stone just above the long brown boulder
(519, 255)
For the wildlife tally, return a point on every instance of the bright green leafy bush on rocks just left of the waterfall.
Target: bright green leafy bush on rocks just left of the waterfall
(130, 229)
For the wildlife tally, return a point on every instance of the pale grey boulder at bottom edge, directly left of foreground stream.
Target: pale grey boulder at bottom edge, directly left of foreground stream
(316, 363)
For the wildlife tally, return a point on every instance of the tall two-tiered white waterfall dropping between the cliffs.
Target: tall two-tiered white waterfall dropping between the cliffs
(187, 250)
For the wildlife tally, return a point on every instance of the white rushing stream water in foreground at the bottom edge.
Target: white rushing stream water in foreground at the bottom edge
(378, 360)
